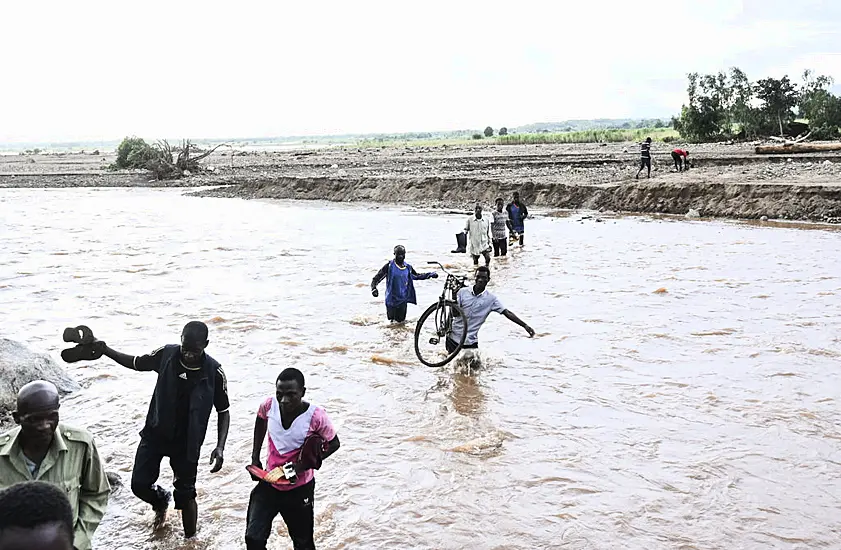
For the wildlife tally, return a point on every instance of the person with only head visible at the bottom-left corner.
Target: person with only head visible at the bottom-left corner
(35, 515)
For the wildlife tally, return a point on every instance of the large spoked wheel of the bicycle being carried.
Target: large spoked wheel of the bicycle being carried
(431, 334)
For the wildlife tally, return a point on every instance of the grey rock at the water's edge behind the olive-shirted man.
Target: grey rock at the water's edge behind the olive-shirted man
(20, 365)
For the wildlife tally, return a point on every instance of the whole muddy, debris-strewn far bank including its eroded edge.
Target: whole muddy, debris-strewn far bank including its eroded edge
(727, 180)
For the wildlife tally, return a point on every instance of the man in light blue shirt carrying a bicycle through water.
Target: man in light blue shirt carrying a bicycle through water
(477, 304)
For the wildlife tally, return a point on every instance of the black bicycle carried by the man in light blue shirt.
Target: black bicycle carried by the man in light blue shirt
(436, 324)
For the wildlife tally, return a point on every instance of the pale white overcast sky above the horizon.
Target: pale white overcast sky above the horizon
(89, 70)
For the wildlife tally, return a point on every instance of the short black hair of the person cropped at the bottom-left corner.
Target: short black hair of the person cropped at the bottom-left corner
(33, 503)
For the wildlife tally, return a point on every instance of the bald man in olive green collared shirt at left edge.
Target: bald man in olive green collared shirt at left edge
(43, 449)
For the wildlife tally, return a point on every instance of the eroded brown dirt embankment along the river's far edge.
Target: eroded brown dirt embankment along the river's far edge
(735, 200)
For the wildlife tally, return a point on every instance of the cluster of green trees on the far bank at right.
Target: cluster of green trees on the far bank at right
(729, 106)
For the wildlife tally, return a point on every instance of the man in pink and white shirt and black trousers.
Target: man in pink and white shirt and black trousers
(299, 433)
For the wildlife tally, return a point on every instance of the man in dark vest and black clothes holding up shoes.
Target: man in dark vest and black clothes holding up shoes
(190, 383)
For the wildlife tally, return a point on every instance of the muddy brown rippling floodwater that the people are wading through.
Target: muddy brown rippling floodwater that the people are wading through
(705, 416)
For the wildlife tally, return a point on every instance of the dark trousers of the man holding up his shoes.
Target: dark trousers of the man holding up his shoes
(147, 468)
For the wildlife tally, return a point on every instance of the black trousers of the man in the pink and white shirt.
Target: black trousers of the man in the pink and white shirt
(295, 507)
